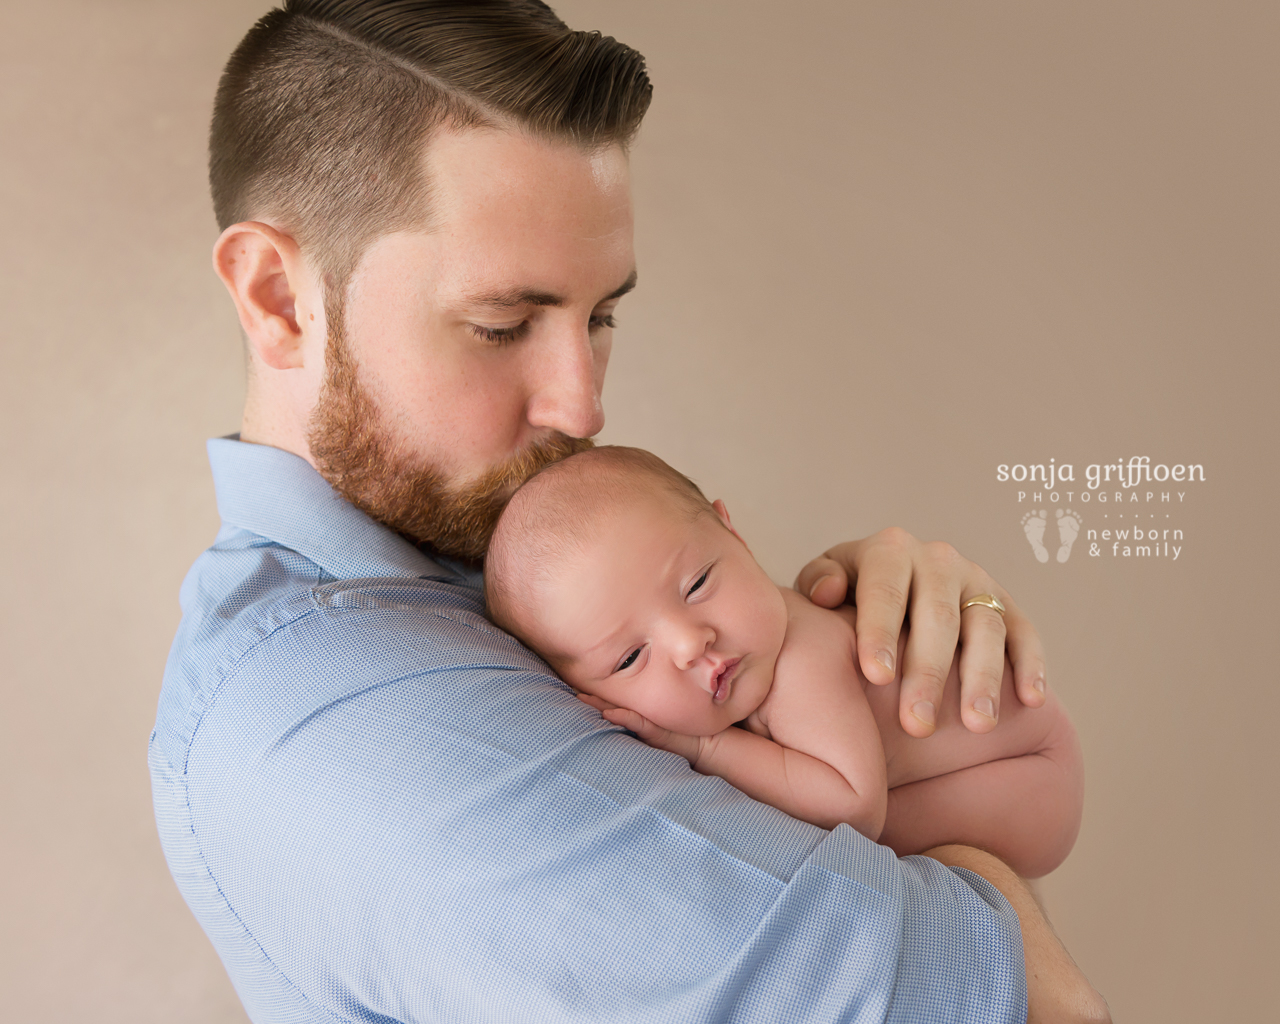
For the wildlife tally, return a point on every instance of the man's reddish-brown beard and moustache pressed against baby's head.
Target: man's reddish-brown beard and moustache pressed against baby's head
(360, 459)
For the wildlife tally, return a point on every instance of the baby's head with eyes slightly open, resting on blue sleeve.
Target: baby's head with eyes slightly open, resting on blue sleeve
(637, 589)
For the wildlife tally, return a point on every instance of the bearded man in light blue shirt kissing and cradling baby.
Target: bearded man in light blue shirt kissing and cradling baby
(380, 806)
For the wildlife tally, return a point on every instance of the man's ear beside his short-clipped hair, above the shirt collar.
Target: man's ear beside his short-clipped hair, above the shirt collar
(268, 280)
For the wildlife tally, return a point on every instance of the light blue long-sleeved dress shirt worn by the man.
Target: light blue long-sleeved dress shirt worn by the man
(385, 810)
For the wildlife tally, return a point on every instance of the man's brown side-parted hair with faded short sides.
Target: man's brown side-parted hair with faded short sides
(324, 108)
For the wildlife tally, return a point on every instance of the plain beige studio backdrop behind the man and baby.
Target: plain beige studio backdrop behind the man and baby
(884, 249)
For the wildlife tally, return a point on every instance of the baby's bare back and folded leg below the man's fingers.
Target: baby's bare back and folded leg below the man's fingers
(1016, 792)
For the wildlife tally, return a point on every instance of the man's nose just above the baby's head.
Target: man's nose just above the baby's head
(566, 394)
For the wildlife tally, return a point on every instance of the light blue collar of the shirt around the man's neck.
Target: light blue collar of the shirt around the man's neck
(281, 497)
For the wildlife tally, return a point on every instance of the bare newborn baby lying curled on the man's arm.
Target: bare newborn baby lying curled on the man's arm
(644, 598)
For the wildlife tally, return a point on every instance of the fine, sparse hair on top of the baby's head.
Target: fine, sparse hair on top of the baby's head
(564, 505)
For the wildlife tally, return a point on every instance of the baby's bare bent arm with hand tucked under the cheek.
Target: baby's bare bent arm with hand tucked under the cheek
(833, 766)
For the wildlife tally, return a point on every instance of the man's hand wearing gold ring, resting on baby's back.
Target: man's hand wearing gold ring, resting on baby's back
(893, 577)
